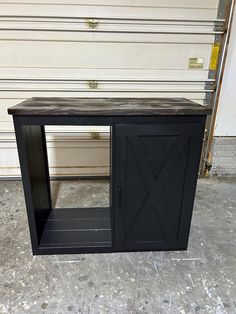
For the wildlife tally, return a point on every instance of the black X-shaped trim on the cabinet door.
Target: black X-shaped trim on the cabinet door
(154, 183)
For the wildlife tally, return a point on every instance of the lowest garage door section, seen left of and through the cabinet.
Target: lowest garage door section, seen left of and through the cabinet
(86, 157)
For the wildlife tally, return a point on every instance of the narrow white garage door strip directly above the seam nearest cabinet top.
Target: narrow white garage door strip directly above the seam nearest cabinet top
(98, 73)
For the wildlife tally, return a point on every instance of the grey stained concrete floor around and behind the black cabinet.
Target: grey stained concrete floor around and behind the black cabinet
(200, 280)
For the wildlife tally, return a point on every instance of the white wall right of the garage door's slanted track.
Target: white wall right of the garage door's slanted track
(226, 115)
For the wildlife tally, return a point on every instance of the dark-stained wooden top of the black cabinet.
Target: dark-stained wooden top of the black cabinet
(38, 106)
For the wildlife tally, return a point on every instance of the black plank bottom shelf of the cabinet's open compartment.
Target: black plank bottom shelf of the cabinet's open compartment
(77, 228)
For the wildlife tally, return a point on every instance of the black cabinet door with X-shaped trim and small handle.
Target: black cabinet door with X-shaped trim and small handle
(156, 168)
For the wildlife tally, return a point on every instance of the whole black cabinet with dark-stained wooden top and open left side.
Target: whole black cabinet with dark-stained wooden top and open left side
(155, 153)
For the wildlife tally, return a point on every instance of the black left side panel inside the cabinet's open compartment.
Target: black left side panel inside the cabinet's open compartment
(32, 151)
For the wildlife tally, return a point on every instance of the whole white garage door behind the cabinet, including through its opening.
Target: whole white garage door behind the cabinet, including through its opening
(101, 48)
